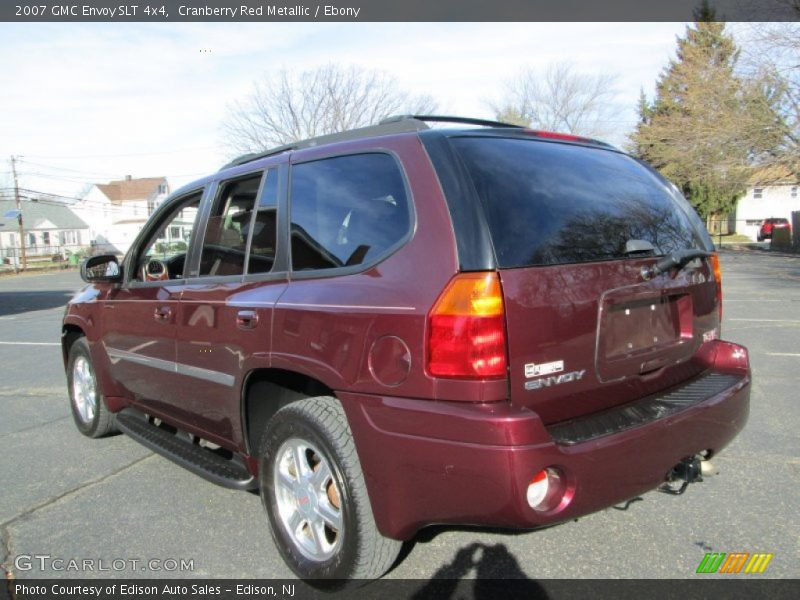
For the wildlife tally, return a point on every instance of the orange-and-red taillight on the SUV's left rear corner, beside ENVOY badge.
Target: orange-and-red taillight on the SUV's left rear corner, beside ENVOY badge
(466, 329)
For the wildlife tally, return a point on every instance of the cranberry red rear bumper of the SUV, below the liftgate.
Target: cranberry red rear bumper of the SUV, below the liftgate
(437, 462)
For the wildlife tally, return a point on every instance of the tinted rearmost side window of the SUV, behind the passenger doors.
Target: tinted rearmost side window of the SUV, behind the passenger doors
(347, 210)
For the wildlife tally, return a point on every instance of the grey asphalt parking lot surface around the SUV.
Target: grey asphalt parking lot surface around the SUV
(68, 497)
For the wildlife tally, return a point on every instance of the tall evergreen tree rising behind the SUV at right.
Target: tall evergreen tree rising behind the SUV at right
(706, 127)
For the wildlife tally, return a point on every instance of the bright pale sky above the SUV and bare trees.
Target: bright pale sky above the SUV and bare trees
(91, 102)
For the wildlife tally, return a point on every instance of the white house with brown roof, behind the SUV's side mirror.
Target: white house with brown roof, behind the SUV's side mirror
(117, 210)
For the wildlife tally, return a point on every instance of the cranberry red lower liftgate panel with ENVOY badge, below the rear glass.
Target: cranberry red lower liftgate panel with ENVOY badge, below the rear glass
(577, 349)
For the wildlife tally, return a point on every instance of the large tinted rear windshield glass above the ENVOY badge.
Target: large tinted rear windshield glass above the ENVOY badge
(550, 203)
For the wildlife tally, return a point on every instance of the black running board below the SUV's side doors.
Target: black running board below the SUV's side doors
(198, 460)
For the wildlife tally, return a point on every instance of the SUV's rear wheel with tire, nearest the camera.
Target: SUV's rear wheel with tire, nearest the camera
(314, 493)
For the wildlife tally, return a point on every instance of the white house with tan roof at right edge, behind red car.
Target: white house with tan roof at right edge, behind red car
(772, 193)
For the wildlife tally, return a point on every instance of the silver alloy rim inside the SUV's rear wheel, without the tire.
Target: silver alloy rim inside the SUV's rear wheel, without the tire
(308, 500)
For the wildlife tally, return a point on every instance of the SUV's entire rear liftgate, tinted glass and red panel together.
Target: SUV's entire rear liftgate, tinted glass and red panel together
(573, 225)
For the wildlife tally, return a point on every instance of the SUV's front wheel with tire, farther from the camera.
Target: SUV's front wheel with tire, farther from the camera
(89, 411)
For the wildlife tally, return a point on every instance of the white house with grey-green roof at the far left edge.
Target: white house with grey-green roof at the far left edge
(51, 229)
